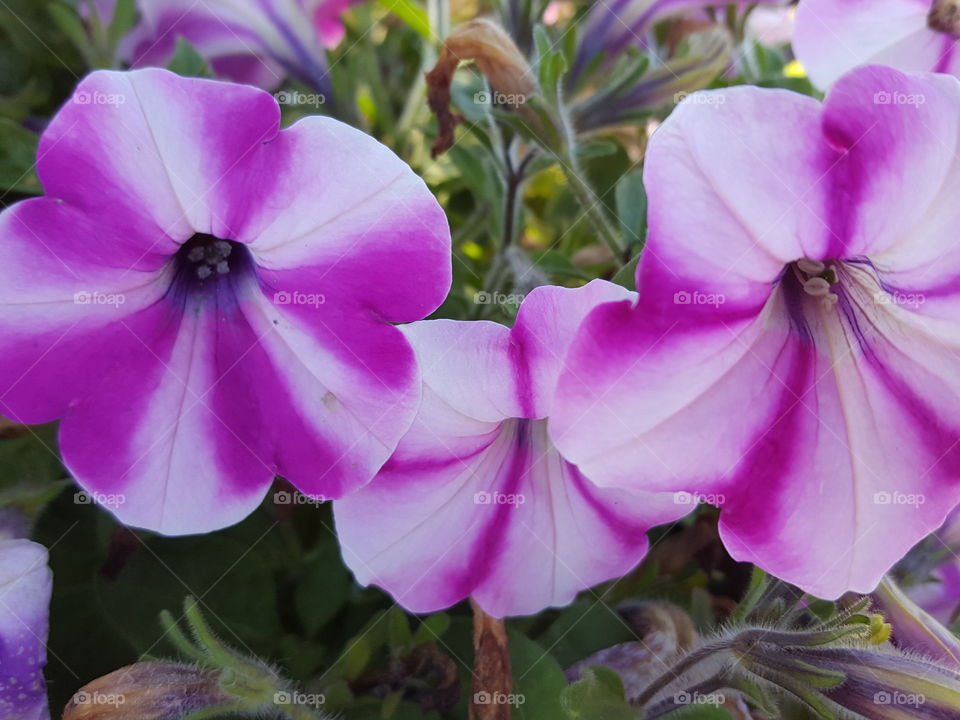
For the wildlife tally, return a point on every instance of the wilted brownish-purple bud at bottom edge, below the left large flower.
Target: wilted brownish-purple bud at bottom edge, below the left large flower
(149, 691)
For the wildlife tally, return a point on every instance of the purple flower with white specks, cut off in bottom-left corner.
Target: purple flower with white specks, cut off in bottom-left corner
(25, 586)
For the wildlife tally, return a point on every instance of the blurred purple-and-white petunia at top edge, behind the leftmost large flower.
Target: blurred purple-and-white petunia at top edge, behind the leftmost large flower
(259, 42)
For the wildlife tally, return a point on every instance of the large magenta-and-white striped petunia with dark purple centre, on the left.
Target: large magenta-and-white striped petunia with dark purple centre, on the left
(205, 300)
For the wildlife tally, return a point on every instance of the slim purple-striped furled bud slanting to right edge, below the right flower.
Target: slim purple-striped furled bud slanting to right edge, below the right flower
(914, 629)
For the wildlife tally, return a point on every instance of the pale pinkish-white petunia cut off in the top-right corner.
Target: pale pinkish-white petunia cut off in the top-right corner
(835, 36)
